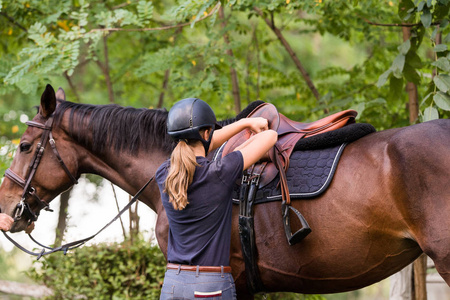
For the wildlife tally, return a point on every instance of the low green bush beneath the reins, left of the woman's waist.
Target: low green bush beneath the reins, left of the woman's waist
(105, 271)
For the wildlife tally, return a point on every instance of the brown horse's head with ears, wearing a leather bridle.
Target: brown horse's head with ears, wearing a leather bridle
(44, 165)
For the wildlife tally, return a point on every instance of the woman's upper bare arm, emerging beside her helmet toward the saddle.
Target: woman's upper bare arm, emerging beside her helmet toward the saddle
(222, 135)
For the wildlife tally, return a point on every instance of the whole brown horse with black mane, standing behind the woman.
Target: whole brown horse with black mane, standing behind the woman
(388, 203)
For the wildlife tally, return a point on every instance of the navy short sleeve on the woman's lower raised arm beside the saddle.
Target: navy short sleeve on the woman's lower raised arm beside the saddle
(229, 168)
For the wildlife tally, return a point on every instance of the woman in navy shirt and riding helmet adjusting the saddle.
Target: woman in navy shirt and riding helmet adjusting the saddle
(196, 195)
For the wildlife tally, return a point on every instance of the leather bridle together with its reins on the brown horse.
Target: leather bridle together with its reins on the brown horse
(23, 207)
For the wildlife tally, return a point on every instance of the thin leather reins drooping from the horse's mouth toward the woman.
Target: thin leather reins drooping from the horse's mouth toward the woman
(76, 244)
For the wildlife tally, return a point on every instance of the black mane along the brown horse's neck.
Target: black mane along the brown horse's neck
(129, 129)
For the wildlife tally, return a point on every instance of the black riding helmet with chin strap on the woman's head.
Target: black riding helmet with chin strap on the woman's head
(187, 117)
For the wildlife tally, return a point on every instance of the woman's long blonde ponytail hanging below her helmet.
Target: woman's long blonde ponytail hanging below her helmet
(180, 175)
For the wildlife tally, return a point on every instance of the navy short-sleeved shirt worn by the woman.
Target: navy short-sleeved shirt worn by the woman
(200, 234)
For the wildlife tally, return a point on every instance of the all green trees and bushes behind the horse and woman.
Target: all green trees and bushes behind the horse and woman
(389, 60)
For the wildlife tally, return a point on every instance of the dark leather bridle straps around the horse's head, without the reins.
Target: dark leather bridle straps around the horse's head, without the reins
(23, 207)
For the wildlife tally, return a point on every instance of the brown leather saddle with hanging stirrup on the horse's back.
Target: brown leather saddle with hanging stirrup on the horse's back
(277, 160)
